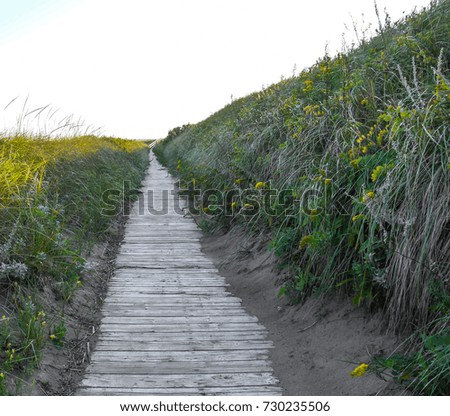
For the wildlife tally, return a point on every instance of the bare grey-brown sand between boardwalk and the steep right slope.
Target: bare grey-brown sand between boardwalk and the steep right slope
(317, 344)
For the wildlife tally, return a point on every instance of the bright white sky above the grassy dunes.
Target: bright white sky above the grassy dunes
(137, 68)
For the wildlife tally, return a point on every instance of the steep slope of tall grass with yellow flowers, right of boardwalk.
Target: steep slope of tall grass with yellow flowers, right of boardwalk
(357, 149)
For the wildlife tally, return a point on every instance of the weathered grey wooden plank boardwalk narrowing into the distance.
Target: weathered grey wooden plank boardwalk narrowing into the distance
(169, 326)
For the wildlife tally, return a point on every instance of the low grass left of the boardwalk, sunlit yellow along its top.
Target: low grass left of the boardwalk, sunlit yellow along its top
(51, 201)
